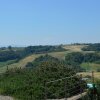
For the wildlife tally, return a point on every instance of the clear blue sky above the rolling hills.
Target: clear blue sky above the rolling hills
(49, 22)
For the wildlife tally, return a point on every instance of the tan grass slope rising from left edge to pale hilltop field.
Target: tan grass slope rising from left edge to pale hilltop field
(59, 55)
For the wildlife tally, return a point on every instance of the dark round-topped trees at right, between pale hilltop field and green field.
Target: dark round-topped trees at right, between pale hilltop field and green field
(78, 58)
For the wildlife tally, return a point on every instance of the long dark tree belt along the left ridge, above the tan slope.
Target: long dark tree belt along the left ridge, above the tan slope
(12, 54)
